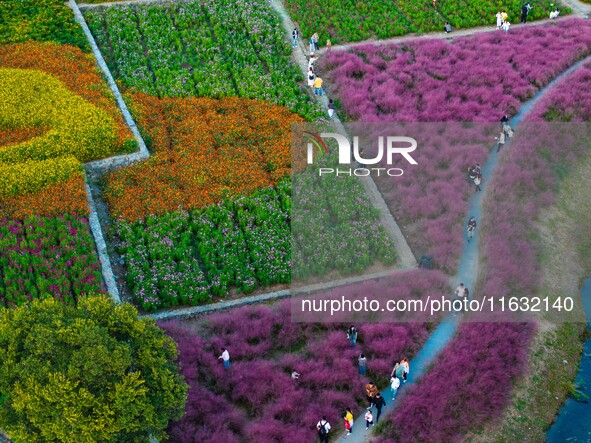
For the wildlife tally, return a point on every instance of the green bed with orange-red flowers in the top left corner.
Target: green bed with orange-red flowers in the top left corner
(40, 20)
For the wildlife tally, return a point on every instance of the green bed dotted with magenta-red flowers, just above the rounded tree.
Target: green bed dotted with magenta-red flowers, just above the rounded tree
(46, 257)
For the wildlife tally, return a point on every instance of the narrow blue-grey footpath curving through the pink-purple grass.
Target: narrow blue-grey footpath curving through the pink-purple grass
(467, 273)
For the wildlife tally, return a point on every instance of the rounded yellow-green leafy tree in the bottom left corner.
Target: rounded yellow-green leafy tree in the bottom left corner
(91, 373)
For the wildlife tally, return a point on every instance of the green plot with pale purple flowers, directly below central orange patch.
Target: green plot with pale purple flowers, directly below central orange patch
(249, 242)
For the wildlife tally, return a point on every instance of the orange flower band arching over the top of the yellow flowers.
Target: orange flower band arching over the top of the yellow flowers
(75, 69)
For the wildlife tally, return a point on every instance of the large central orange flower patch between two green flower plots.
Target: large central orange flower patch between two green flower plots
(204, 150)
